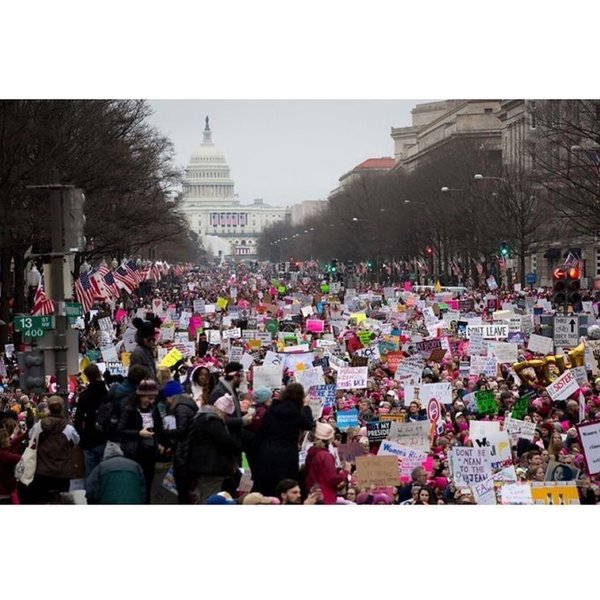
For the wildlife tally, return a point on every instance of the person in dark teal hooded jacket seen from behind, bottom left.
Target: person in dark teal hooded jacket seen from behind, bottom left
(116, 480)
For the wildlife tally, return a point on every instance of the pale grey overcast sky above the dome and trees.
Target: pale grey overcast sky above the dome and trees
(285, 151)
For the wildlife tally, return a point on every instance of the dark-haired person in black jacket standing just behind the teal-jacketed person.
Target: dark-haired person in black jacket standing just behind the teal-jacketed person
(89, 418)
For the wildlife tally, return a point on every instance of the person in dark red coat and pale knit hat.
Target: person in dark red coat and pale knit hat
(320, 466)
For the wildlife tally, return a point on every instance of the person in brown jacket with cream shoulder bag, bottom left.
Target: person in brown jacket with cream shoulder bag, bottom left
(55, 465)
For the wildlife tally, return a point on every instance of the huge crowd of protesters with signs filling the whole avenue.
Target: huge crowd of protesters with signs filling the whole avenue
(236, 384)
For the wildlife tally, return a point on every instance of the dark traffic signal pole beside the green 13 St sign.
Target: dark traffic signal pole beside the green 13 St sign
(58, 288)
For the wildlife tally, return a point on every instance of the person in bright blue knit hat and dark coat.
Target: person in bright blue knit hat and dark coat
(183, 409)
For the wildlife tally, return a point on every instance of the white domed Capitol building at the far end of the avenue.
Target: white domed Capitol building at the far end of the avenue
(225, 227)
